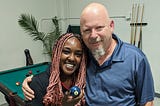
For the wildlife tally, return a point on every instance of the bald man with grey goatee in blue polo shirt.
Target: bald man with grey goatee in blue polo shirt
(118, 74)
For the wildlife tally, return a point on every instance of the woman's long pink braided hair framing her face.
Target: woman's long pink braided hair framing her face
(54, 93)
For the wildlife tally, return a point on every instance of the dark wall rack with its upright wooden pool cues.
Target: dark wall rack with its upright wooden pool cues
(137, 24)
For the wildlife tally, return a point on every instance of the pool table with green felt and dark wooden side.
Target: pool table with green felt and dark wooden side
(11, 81)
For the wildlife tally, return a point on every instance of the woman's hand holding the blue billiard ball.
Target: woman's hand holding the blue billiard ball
(69, 100)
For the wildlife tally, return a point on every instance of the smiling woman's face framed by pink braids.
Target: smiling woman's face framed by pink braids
(71, 56)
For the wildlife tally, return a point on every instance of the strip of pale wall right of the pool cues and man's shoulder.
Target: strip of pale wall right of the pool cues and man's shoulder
(151, 39)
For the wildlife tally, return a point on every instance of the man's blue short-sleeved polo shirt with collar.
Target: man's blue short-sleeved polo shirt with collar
(125, 79)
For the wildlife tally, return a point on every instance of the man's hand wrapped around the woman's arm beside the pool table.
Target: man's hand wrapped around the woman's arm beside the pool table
(27, 91)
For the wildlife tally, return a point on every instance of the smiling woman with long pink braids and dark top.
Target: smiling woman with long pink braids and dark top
(67, 69)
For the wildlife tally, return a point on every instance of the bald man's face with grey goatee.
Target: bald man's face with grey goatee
(96, 32)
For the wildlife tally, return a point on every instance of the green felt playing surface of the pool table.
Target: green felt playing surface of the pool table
(9, 77)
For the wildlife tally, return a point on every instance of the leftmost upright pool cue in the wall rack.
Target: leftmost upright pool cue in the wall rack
(132, 25)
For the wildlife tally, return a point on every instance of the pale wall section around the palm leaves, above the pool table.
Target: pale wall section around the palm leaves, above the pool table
(13, 39)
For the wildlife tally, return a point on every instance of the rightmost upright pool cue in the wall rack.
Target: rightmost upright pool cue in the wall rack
(140, 34)
